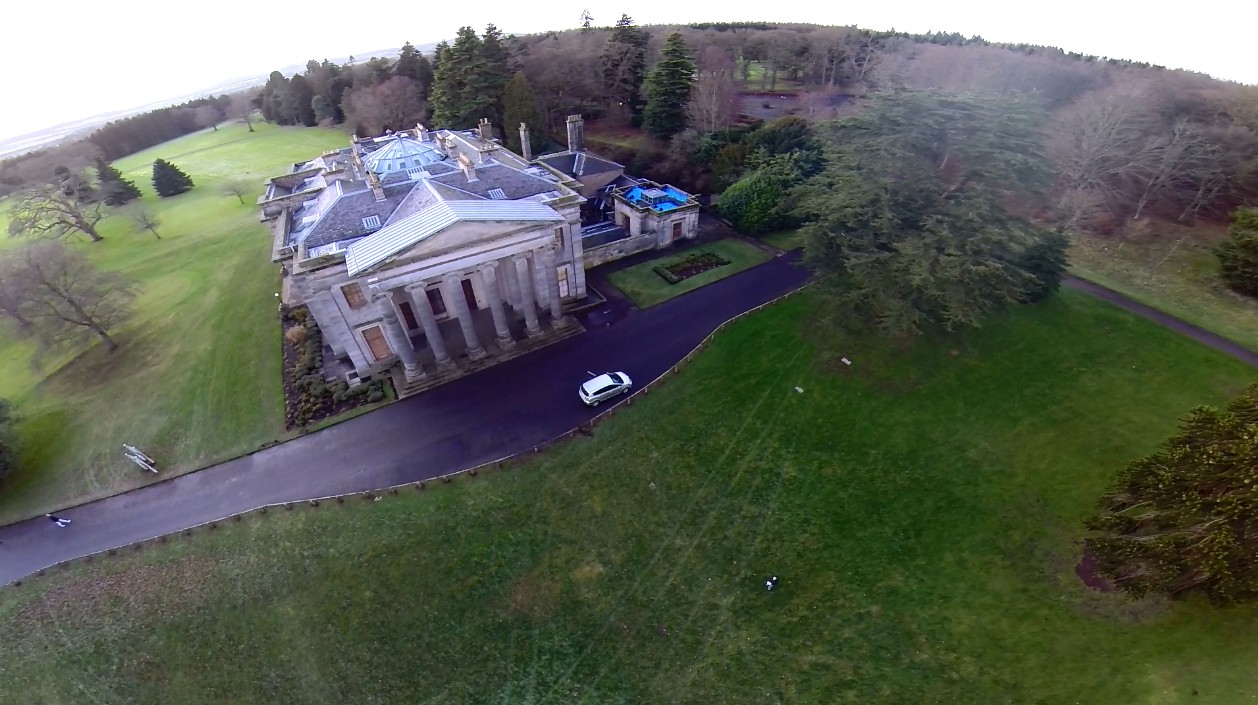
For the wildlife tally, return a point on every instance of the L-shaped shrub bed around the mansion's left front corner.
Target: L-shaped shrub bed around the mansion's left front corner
(309, 397)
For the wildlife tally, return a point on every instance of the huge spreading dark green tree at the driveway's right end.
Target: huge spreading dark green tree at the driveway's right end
(908, 222)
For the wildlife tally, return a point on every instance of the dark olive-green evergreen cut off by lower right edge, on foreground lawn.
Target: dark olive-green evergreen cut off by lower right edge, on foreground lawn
(1183, 521)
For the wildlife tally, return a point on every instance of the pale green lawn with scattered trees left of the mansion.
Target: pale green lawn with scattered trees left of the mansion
(198, 376)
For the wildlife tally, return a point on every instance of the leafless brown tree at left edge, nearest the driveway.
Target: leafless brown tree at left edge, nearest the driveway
(66, 298)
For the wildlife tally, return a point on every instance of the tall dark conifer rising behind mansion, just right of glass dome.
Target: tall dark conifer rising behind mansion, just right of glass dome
(460, 99)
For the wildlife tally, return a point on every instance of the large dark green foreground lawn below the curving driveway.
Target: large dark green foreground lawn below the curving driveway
(921, 510)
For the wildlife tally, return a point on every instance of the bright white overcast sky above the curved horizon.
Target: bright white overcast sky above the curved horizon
(76, 59)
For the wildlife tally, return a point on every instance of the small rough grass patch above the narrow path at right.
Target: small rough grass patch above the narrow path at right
(1182, 280)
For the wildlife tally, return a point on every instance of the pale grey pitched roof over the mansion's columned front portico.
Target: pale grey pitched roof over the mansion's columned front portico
(407, 232)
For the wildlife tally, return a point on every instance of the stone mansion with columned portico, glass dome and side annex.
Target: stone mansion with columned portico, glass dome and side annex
(428, 254)
